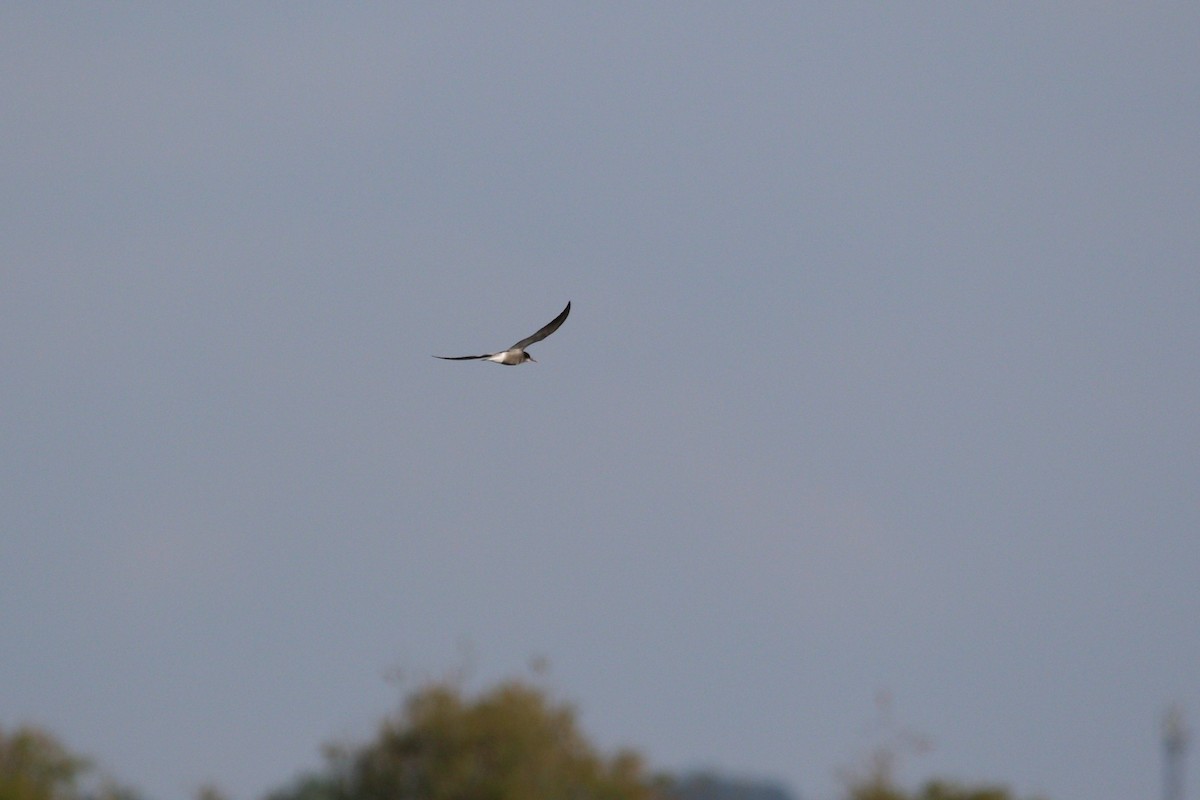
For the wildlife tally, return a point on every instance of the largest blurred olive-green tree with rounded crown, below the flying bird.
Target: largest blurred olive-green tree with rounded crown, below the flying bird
(511, 743)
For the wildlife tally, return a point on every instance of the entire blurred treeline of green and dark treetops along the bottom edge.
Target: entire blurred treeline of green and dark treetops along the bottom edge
(512, 742)
